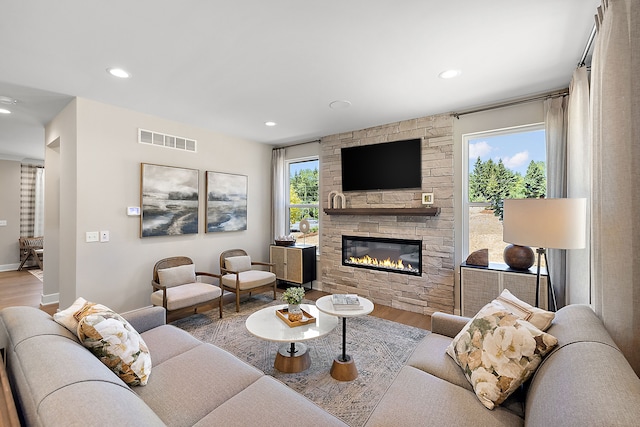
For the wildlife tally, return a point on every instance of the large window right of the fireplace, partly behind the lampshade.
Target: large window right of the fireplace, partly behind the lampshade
(508, 163)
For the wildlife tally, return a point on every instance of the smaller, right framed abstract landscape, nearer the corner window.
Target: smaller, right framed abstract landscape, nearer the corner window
(226, 202)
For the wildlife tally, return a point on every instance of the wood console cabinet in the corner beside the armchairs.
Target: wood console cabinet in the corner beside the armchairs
(295, 264)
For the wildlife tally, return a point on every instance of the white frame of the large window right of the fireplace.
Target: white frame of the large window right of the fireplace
(466, 204)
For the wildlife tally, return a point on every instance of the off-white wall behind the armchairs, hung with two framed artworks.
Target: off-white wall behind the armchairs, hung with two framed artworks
(101, 162)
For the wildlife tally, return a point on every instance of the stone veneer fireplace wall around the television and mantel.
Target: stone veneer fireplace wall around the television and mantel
(434, 290)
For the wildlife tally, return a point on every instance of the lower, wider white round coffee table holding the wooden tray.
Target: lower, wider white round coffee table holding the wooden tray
(291, 357)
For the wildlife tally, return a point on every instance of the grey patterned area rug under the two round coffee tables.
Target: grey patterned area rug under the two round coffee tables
(379, 347)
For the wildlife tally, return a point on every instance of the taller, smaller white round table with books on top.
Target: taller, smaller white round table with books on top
(343, 367)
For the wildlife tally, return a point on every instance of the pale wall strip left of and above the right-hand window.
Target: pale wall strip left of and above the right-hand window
(519, 115)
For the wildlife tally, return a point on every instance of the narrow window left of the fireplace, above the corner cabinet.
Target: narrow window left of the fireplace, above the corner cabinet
(304, 199)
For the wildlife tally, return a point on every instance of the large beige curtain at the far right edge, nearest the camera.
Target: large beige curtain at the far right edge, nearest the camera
(616, 173)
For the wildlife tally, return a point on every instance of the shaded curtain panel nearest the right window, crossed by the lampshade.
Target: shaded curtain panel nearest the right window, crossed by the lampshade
(556, 134)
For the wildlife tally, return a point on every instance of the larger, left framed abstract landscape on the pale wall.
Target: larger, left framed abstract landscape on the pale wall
(169, 200)
